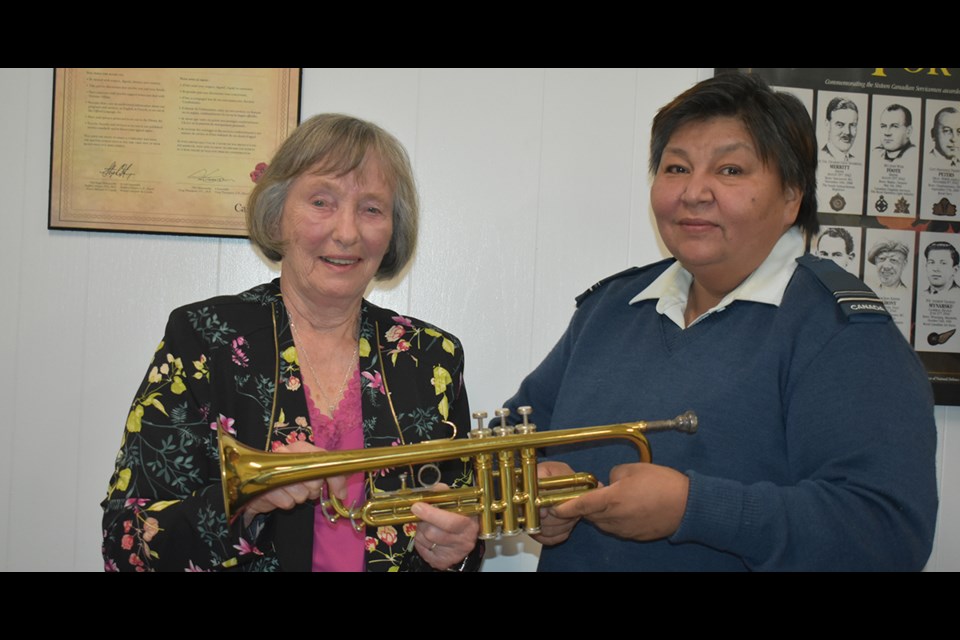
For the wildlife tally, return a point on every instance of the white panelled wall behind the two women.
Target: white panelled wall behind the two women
(534, 186)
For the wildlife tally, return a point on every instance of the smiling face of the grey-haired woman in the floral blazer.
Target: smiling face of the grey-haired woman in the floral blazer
(336, 231)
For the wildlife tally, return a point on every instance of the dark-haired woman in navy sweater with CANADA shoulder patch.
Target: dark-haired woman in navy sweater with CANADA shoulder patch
(799, 462)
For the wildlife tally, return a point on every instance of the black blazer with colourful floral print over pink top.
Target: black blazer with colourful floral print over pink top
(231, 361)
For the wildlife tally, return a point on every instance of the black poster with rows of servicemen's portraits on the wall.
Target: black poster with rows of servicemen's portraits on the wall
(888, 186)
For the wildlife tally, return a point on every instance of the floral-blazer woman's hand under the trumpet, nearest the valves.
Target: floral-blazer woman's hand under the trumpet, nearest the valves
(444, 538)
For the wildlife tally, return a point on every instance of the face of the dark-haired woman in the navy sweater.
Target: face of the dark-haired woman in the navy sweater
(719, 209)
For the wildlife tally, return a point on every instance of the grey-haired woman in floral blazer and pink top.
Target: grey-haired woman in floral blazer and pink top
(299, 364)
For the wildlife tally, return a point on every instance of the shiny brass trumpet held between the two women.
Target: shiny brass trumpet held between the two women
(506, 495)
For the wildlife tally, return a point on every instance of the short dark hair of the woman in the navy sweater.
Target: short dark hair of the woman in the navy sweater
(778, 122)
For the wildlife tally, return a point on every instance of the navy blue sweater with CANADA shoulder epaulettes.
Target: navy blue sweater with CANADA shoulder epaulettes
(816, 442)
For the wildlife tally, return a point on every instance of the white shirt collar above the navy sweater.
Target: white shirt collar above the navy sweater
(765, 285)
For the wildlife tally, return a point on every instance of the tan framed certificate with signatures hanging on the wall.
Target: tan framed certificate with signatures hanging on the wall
(173, 150)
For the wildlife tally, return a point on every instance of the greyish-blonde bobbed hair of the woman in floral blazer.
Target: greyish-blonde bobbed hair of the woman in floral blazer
(336, 144)
